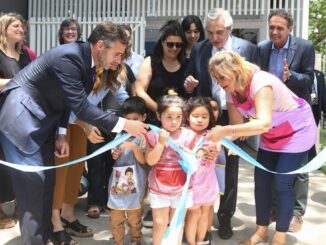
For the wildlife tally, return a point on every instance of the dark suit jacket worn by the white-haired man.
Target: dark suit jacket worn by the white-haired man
(201, 53)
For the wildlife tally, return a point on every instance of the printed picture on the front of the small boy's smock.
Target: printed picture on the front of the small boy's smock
(124, 181)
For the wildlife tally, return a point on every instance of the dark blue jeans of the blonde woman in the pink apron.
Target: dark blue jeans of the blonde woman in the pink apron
(283, 184)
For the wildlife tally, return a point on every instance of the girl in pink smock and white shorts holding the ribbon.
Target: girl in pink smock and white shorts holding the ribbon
(166, 178)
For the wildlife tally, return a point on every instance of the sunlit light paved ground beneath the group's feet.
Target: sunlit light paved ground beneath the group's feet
(243, 221)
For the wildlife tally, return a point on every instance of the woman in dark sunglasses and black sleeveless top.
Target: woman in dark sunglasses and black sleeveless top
(164, 68)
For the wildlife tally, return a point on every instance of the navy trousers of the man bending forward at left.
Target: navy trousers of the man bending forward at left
(33, 191)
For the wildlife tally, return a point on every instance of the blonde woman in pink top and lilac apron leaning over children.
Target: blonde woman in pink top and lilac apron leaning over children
(287, 129)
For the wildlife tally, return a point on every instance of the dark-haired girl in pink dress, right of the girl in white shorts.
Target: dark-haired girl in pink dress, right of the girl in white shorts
(204, 186)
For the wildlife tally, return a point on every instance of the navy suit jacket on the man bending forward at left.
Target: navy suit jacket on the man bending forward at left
(41, 95)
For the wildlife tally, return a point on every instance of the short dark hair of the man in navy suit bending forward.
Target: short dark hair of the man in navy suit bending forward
(108, 32)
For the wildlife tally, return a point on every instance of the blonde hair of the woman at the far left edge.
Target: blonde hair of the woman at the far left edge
(5, 21)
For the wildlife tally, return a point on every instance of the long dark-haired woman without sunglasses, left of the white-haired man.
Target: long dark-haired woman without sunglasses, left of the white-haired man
(194, 31)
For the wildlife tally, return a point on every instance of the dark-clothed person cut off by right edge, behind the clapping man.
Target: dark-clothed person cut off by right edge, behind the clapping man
(318, 102)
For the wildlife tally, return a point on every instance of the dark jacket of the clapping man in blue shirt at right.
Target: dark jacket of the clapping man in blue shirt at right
(301, 61)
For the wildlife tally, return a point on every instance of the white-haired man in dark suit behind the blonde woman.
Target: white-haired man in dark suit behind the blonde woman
(218, 24)
